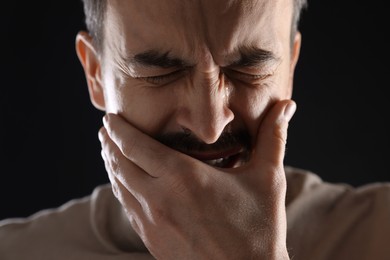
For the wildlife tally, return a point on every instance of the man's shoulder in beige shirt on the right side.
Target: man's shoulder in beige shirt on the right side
(336, 220)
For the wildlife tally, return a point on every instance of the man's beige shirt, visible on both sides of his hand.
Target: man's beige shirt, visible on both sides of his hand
(325, 221)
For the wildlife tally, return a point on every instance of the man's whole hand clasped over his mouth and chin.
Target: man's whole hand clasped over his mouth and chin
(183, 208)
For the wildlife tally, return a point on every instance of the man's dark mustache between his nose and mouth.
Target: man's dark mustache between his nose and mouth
(188, 143)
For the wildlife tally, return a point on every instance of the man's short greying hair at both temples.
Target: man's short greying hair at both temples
(94, 11)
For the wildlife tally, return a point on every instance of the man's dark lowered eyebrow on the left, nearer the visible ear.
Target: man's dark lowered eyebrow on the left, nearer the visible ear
(158, 59)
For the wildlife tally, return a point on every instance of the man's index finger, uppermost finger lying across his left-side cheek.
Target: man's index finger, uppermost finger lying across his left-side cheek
(153, 157)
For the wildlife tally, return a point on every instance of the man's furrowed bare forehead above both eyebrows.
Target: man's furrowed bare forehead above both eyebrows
(187, 26)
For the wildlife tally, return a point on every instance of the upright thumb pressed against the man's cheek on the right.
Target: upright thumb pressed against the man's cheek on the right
(272, 135)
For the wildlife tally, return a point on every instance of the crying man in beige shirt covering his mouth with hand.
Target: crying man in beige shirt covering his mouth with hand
(197, 96)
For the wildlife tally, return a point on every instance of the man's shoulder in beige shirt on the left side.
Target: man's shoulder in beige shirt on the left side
(57, 232)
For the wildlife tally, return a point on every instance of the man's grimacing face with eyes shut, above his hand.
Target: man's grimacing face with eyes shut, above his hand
(197, 75)
